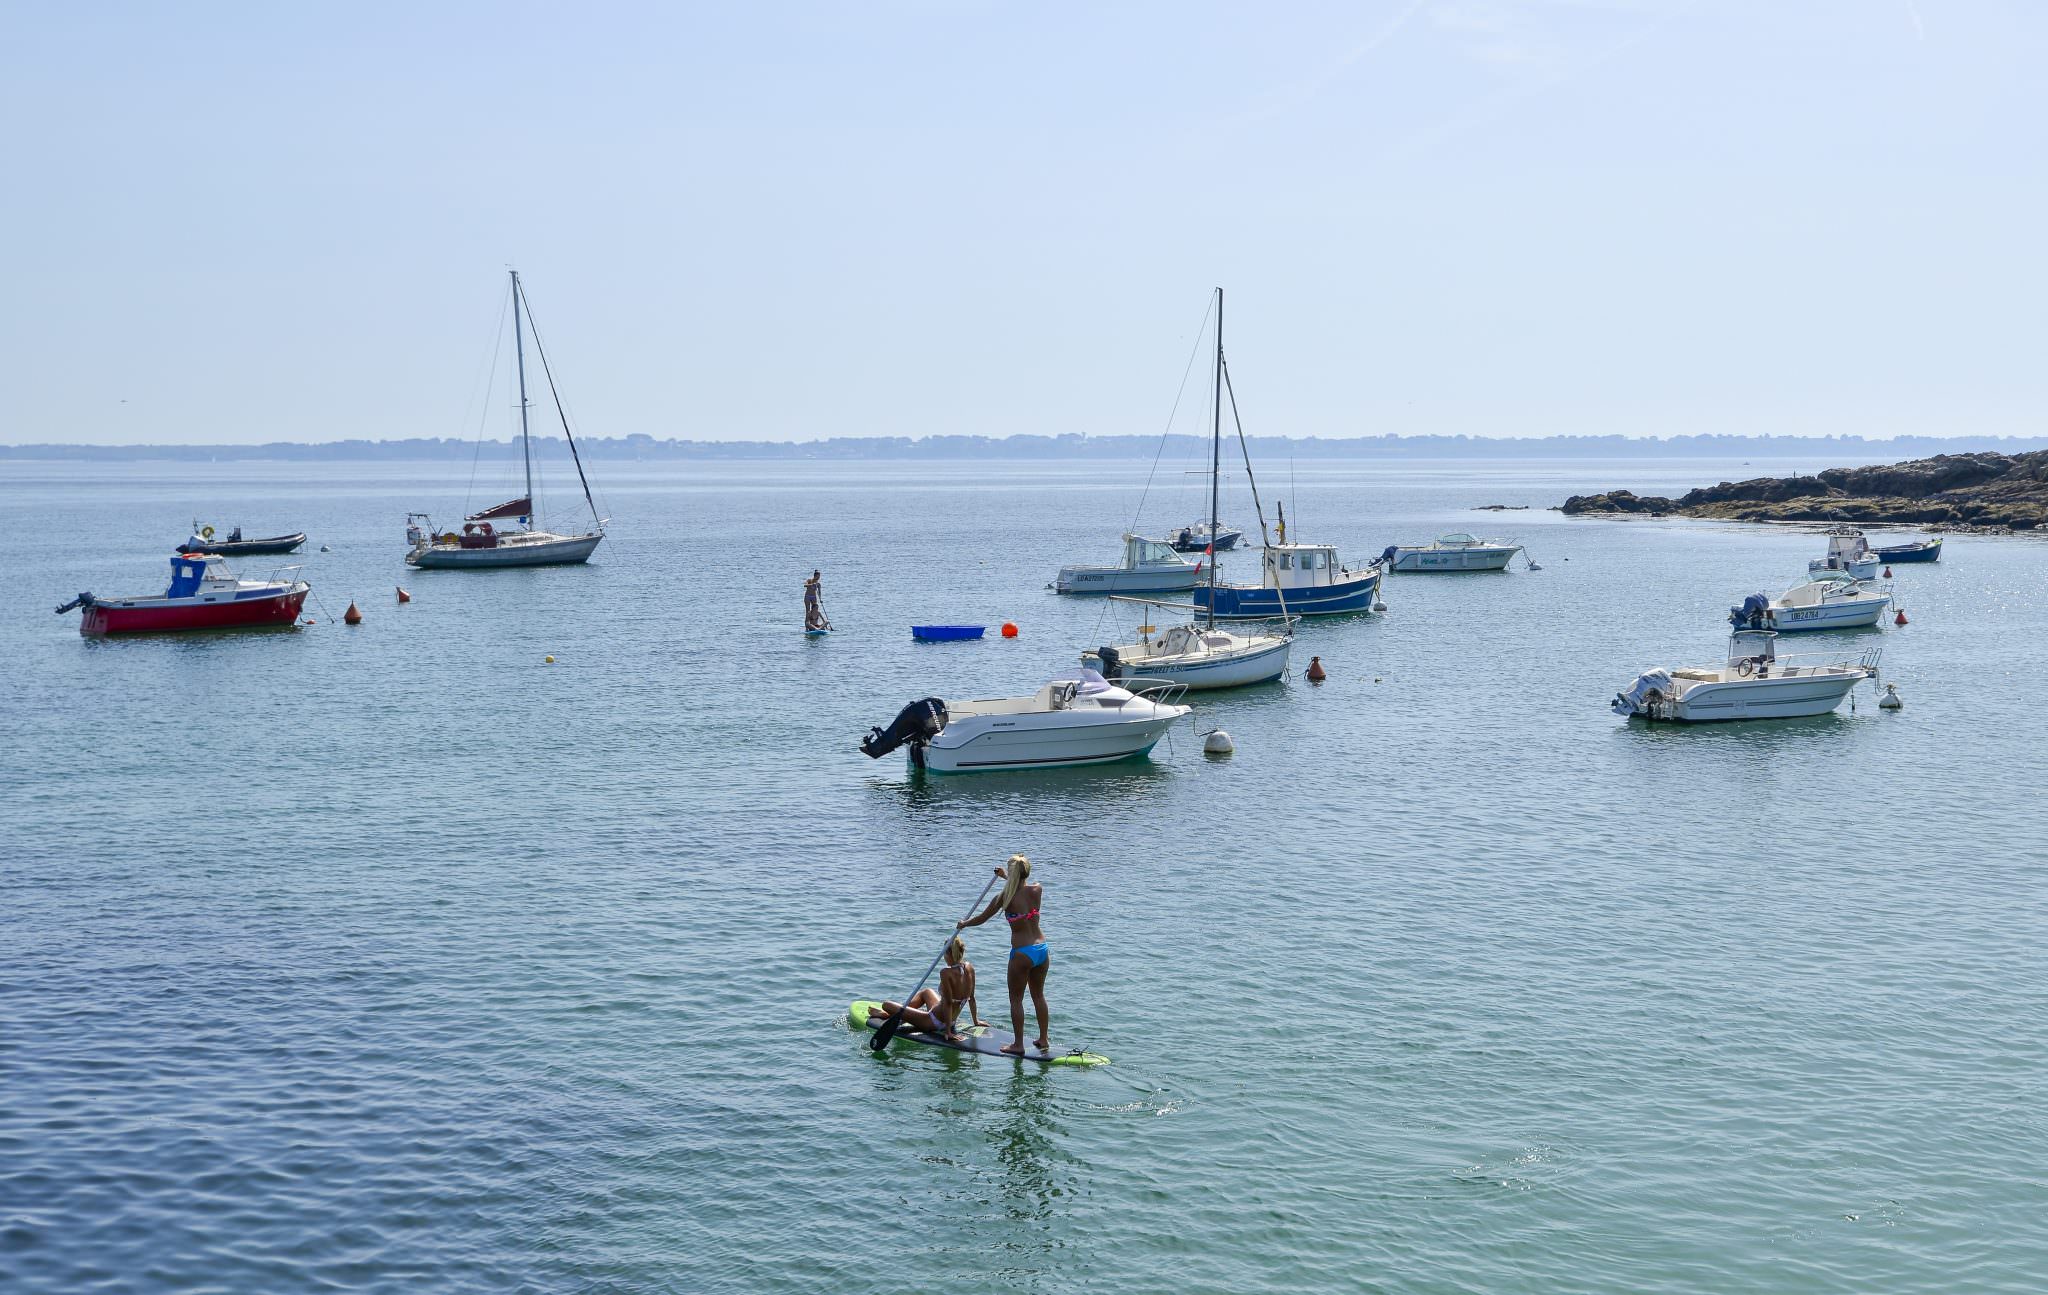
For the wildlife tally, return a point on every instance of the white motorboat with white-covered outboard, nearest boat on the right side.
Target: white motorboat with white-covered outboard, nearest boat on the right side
(1756, 683)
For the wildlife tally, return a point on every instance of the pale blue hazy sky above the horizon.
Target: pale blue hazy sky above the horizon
(1508, 218)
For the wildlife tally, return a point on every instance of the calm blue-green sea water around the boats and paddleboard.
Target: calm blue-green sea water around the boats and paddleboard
(394, 958)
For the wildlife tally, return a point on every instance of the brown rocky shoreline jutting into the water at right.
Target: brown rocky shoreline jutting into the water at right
(1949, 493)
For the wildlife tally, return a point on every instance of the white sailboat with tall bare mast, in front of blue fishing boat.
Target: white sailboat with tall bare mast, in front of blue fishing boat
(1201, 655)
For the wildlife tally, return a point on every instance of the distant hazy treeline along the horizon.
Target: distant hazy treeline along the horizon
(1838, 450)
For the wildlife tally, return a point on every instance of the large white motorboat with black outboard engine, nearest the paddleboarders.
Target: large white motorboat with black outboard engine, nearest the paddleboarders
(1074, 720)
